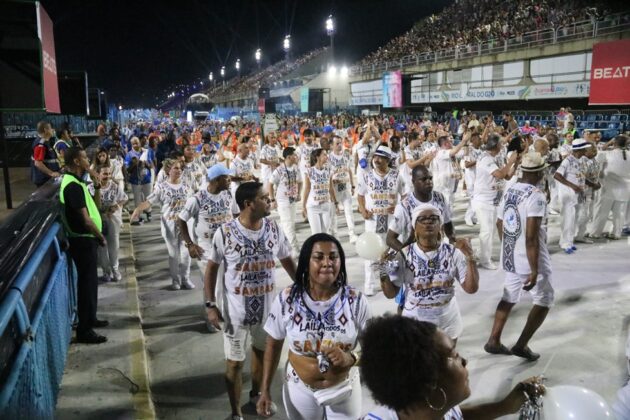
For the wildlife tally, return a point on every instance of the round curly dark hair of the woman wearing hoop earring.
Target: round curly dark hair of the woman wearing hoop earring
(400, 363)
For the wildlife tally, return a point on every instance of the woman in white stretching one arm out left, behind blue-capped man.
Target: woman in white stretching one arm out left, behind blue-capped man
(172, 195)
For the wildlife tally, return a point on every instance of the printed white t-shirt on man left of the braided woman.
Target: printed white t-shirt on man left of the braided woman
(249, 280)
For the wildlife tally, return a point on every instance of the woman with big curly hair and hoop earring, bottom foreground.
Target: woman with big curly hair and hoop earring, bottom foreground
(414, 371)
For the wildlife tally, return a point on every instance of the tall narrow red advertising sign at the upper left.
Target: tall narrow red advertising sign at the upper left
(49, 62)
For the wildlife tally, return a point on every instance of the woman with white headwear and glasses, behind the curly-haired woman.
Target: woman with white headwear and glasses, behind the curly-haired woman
(429, 270)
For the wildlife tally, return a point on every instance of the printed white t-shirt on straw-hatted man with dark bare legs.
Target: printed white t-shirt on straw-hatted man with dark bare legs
(519, 202)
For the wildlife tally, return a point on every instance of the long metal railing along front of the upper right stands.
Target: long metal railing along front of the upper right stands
(609, 25)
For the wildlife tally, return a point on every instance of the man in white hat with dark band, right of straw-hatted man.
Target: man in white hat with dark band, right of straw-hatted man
(571, 177)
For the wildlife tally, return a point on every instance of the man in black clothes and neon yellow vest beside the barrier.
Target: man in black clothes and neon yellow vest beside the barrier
(83, 225)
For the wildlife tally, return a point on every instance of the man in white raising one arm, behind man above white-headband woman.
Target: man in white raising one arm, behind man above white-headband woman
(444, 168)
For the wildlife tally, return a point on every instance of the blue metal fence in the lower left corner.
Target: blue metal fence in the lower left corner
(41, 335)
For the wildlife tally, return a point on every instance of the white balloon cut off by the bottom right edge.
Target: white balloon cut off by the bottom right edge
(575, 403)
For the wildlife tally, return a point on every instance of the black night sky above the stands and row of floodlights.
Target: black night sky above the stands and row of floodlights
(138, 50)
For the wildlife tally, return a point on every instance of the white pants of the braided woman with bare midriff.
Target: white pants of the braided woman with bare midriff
(300, 403)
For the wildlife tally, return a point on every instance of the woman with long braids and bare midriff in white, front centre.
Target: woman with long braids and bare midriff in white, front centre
(321, 318)
